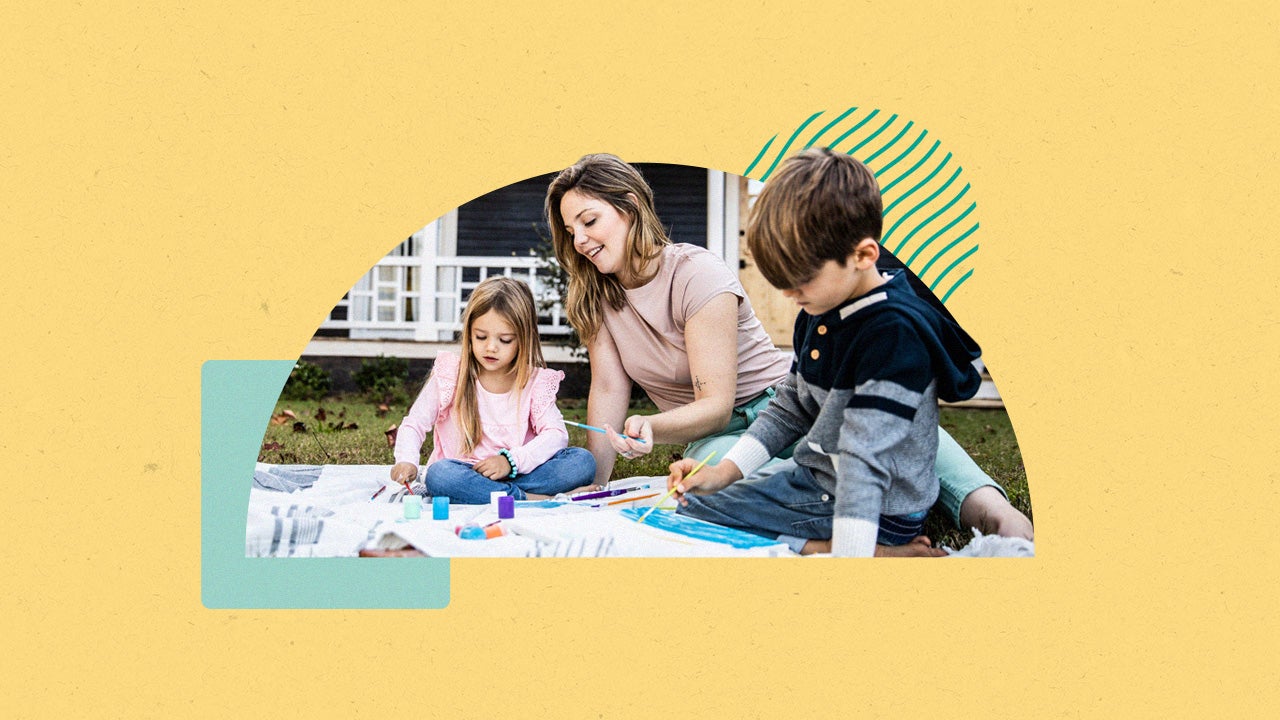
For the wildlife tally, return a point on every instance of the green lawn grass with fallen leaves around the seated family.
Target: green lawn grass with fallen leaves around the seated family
(330, 438)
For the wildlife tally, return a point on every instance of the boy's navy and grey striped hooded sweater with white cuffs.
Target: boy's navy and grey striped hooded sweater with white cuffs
(863, 394)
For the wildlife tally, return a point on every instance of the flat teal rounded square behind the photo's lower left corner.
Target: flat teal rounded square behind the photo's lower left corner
(237, 399)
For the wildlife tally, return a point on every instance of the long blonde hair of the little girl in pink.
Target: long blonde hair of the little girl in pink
(514, 302)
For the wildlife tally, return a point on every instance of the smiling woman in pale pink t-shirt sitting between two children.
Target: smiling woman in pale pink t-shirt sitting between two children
(675, 320)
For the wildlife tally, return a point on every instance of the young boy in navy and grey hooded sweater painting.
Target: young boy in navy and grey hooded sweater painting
(871, 362)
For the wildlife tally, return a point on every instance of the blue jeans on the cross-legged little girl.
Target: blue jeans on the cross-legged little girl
(570, 468)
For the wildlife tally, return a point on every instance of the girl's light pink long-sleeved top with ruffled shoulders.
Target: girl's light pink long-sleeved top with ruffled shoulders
(527, 423)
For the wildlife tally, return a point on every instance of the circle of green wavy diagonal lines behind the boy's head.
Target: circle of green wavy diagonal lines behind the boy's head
(932, 230)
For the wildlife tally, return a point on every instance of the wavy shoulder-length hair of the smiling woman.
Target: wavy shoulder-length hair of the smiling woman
(610, 180)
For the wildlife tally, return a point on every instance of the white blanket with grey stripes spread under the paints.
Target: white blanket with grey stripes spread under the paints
(337, 517)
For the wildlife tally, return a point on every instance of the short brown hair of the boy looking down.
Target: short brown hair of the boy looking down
(819, 207)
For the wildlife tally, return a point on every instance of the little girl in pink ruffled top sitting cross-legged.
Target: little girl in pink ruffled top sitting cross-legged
(493, 412)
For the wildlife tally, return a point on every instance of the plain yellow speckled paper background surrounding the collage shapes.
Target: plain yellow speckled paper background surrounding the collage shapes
(205, 184)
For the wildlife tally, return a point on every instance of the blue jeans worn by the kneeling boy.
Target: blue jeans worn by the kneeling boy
(783, 502)
